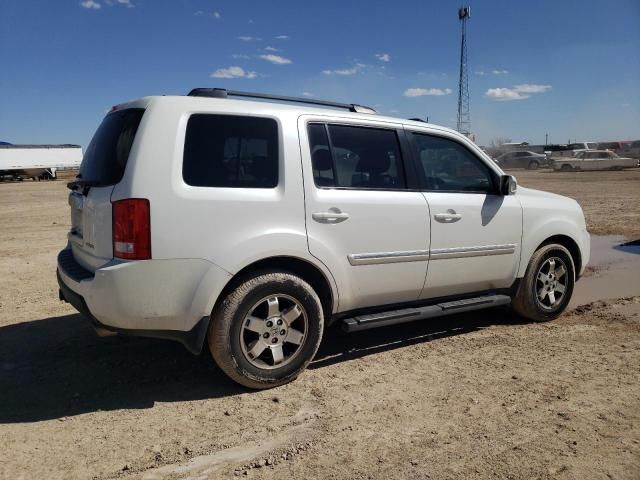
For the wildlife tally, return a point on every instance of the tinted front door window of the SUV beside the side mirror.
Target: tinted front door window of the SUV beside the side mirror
(449, 166)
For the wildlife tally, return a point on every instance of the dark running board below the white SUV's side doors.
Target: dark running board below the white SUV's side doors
(393, 317)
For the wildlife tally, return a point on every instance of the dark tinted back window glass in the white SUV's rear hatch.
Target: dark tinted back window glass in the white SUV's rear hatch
(106, 156)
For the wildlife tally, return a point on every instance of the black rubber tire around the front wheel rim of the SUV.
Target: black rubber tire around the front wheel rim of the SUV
(526, 302)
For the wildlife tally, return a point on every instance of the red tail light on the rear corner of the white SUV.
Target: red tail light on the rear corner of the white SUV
(132, 229)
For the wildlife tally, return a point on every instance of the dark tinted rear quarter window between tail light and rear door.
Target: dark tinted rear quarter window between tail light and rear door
(230, 151)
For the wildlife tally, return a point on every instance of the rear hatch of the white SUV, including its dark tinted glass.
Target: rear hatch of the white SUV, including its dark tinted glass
(102, 167)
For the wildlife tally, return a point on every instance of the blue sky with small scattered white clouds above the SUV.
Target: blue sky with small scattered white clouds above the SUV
(567, 68)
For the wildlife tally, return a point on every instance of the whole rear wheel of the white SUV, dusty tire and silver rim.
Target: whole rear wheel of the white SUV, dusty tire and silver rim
(267, 330)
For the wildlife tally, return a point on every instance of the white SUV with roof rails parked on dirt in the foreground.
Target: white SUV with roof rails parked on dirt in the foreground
(252, 225)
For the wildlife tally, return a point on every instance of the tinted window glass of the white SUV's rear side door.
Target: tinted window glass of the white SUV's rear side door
(361, 158)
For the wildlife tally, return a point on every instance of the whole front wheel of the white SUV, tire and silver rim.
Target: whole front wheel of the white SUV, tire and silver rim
(547, 286)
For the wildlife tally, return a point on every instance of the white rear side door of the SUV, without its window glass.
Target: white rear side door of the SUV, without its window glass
(374, 229)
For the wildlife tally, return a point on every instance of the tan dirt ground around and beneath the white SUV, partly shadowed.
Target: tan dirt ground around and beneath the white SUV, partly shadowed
(473, 396)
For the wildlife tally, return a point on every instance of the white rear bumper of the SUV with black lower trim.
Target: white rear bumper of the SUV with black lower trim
(155, 298)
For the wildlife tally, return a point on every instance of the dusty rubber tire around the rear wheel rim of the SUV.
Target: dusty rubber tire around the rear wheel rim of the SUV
(227, 329)
